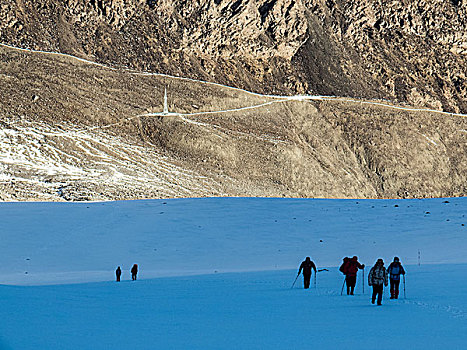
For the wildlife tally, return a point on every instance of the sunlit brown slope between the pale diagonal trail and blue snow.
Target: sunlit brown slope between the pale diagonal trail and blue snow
(72, 130)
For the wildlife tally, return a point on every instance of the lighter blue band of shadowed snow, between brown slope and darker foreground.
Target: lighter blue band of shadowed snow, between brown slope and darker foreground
(82, 242)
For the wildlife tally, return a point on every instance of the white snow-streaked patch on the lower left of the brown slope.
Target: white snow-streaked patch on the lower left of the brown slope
(26, 156)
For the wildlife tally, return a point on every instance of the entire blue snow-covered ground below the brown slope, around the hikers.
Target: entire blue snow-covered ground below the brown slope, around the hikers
(228, 265)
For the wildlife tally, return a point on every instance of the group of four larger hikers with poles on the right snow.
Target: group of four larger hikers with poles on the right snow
(377, 278)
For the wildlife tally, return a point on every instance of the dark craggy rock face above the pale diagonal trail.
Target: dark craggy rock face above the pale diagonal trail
(406, 51)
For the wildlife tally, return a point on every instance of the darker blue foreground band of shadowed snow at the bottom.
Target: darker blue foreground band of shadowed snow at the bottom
(238, 311)
